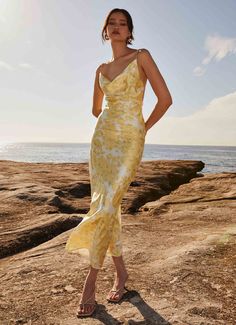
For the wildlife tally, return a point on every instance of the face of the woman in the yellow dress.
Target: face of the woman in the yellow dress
(117, 27)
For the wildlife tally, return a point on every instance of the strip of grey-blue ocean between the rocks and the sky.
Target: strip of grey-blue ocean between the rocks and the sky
(217, 159)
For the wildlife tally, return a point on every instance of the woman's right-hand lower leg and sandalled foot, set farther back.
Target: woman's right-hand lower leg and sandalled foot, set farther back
(120, 279)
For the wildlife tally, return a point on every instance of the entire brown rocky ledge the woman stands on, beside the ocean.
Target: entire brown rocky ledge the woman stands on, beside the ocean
(178, 237)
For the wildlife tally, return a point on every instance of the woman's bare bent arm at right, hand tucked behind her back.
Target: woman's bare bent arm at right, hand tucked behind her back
(159, 87)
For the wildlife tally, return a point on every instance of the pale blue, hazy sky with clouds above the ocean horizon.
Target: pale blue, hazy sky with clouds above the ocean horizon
(50, 50)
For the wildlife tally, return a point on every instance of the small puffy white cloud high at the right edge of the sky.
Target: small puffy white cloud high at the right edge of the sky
(218, 48)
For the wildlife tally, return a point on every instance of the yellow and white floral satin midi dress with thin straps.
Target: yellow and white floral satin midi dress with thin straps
(115, 154)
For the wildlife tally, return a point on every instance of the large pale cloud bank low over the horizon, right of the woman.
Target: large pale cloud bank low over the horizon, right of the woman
(213, 124)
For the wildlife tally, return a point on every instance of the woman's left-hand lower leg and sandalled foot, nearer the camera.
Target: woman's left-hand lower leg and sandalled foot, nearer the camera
(89, 290)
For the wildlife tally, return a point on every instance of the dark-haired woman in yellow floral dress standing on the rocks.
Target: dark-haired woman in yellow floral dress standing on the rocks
(116, 151)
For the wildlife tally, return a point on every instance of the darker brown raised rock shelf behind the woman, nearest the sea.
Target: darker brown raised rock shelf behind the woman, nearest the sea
(34, 221)
